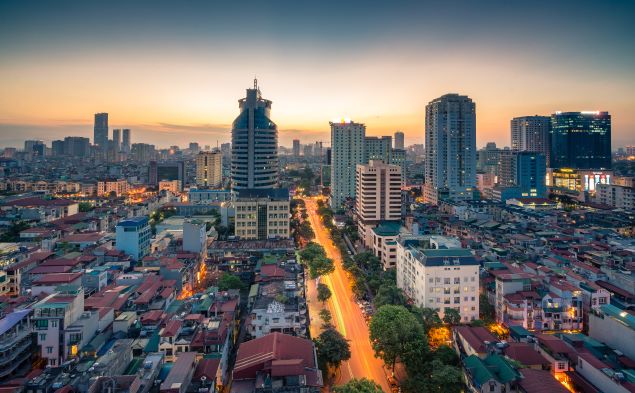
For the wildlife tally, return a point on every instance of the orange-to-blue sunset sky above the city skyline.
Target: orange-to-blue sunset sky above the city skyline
(173, 71)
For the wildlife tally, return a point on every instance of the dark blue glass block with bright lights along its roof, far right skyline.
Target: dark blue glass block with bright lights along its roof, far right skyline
(580, 140)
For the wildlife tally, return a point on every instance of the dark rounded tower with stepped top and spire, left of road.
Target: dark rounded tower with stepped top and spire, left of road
(254, 144)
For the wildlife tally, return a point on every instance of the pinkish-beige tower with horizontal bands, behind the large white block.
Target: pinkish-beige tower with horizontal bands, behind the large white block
(378, 196)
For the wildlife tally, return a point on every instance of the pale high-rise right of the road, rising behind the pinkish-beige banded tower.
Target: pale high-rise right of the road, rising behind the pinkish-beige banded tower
(347, 150)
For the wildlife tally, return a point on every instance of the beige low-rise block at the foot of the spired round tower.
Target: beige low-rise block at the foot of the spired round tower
(262, 214)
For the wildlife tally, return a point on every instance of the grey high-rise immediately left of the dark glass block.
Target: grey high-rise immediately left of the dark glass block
(531, 133)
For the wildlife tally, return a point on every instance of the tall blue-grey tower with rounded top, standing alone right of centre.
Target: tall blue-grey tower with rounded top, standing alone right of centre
(450, 166)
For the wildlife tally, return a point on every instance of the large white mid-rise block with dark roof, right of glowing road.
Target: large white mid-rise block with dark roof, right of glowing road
(435, 274)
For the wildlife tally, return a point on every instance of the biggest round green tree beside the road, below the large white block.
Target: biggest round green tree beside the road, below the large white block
(396, 334)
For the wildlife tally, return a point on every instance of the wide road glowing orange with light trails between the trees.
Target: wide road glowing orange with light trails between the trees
(347, 316)
